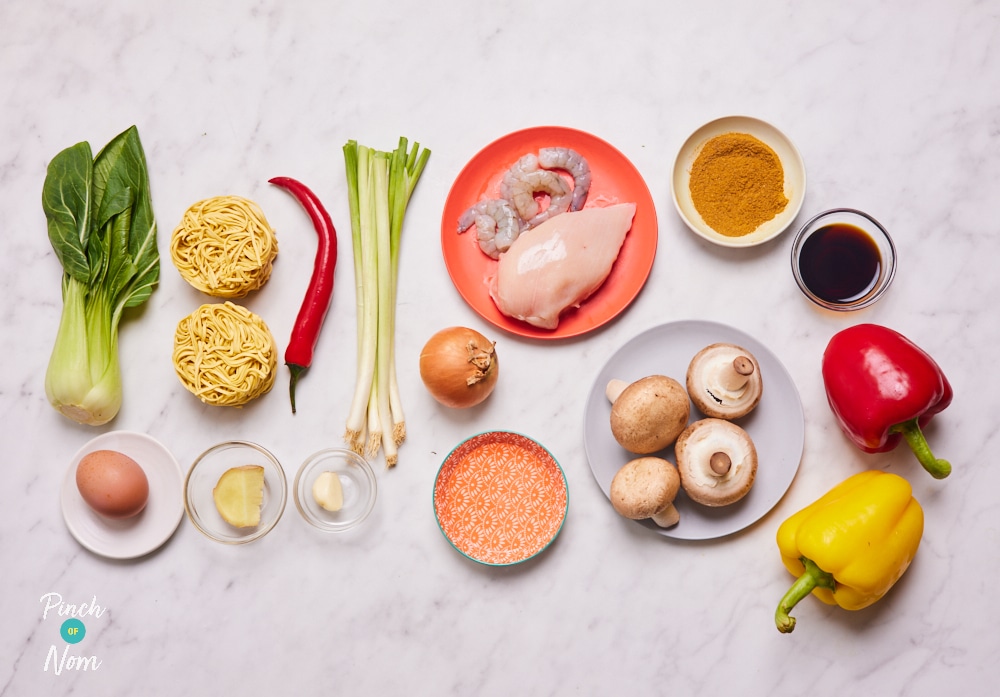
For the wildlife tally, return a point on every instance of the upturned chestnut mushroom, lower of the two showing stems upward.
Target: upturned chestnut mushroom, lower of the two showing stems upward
(717, 462)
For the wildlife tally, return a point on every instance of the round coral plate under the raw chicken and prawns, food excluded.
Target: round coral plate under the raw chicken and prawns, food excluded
(613, 180)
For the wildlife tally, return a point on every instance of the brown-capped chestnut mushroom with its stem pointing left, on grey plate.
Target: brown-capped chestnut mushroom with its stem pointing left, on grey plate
(648, 414)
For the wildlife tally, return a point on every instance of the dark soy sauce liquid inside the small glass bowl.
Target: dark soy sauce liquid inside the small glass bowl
(840, 263)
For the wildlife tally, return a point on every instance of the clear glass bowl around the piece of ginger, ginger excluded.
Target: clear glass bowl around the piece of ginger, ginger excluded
(205, 474)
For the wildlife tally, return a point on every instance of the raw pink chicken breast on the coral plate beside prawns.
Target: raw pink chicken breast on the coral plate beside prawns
(560, 263)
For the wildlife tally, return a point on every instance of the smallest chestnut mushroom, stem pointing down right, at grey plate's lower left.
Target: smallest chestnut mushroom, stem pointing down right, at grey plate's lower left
(646, 488)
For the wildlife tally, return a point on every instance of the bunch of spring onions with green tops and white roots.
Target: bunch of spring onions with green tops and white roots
(380, 185)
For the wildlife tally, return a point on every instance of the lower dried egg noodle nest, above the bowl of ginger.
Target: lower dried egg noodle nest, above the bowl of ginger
(225, 354)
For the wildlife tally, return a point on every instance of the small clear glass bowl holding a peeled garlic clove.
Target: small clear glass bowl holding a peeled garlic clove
(335, 489)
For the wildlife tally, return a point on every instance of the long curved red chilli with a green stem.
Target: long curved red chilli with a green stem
(299, 354)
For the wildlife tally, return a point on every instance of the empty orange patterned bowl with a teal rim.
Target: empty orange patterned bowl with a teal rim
(500, 498)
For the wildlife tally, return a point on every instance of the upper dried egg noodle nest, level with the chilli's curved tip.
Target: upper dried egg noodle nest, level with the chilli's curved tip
(224, 246)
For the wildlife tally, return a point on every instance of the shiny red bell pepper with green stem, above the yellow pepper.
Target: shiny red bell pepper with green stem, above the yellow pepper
(883, 388)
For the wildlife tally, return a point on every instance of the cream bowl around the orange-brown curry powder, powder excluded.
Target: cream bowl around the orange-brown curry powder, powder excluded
(791, 162)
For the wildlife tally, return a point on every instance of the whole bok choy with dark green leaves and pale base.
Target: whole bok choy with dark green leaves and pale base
(102, 229)
